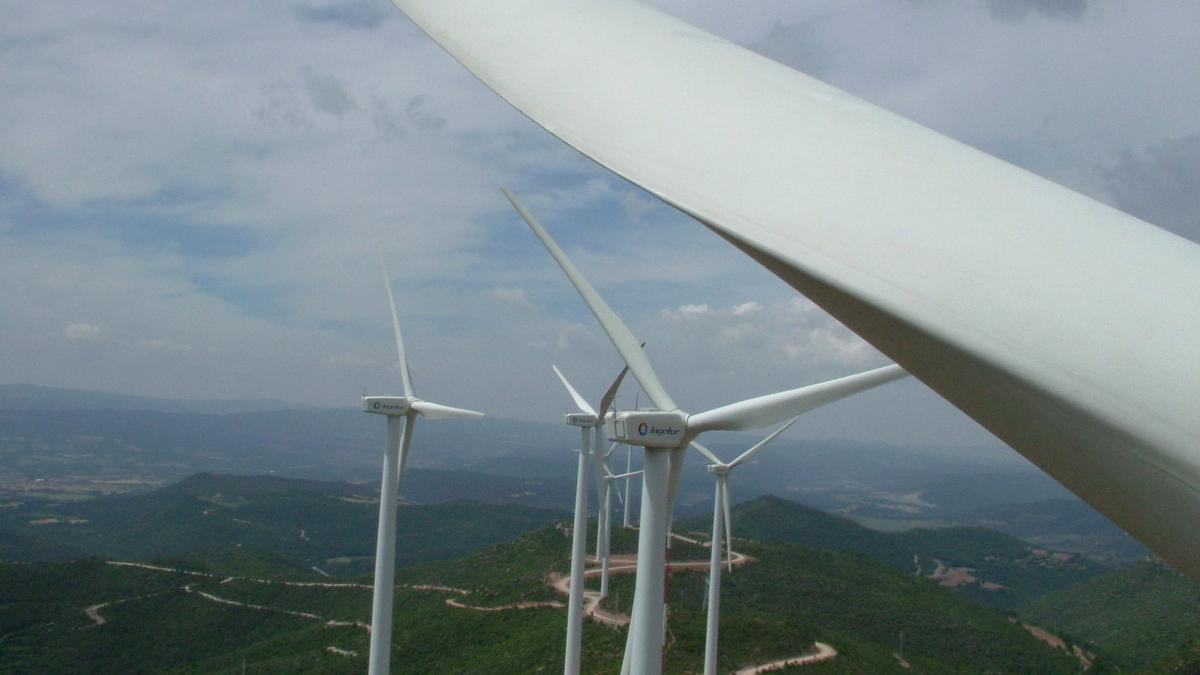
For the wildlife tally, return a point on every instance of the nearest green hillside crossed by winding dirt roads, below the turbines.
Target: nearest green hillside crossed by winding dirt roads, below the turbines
(167, 622)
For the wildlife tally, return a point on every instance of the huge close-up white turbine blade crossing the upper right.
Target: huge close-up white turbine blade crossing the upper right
(1083, 357)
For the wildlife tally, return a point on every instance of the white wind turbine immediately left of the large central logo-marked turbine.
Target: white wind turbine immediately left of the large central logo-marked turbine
(589, 421)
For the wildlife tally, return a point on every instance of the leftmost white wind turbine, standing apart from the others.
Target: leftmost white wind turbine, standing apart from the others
(399, 410)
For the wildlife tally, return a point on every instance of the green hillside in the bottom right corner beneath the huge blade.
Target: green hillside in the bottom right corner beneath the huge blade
(1130, 617)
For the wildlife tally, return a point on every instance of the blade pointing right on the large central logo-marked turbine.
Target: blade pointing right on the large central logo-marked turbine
(769, 410)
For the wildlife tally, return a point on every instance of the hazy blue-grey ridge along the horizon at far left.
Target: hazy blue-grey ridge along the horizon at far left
(35, 397)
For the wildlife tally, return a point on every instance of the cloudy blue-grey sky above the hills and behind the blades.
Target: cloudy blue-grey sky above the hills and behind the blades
(196, 199)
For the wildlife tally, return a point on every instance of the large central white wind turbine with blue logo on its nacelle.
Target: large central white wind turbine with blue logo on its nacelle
(665, 434)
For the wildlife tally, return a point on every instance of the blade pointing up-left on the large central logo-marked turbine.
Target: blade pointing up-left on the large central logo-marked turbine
(622, 338)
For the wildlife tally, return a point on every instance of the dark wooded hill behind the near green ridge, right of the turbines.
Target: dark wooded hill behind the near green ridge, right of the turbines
(988, 566)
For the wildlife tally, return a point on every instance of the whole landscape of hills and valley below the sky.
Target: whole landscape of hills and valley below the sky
(127, 551)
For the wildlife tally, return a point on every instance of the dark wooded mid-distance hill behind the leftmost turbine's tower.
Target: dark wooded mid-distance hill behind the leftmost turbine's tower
(323, 524)
